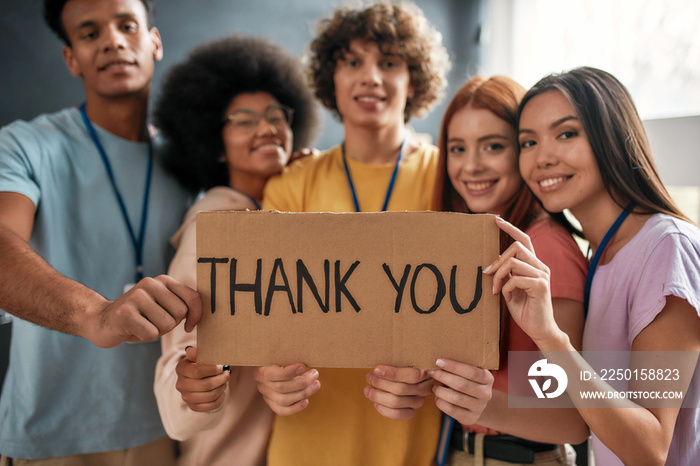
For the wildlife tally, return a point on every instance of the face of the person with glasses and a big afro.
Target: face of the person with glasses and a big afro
(255, 155)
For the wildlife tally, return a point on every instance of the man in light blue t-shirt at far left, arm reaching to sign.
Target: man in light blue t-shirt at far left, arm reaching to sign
(79, 229)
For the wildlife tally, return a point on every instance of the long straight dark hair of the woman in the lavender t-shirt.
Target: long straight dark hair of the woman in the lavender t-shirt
(616, 135)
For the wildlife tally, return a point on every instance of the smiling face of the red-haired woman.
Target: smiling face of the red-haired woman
(482, 160)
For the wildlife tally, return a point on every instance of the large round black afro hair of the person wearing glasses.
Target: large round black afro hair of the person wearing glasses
(196, 93)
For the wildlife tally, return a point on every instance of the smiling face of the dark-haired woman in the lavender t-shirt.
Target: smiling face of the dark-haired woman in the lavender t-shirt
(556, 159)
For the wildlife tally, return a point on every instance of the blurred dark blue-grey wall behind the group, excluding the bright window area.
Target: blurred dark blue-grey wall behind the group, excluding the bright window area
(35, 80)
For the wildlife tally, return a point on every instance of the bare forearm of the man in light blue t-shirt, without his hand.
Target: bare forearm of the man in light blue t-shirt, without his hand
(34, 291)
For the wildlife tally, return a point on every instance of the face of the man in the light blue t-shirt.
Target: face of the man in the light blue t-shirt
(112, 49)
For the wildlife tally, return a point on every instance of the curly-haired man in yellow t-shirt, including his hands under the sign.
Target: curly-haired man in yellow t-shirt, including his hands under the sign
(375, 68)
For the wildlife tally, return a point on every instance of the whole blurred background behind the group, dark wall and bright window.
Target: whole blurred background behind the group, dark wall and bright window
(652, 47)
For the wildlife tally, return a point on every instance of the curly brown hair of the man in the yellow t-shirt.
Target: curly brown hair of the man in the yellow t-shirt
(401, 28)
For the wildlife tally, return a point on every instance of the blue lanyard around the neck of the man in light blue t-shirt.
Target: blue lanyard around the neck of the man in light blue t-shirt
(137, 242)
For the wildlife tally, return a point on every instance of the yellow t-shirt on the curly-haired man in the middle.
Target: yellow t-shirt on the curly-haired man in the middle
(340, 426)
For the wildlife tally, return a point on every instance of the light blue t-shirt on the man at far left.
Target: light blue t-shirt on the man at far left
(63, 395)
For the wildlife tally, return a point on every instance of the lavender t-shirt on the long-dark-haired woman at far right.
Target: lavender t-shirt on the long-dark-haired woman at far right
(627, 294)
